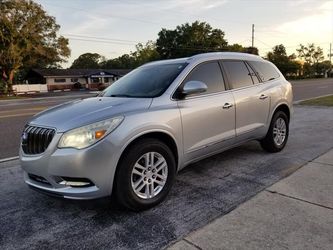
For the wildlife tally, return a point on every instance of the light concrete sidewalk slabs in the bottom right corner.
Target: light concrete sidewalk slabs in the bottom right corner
(294, 213)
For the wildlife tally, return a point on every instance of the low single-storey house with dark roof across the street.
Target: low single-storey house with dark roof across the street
(60, 79)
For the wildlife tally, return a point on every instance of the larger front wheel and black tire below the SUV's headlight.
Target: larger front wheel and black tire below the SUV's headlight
(145, 174)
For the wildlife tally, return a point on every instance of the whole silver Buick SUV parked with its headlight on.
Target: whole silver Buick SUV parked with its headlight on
(133, 138)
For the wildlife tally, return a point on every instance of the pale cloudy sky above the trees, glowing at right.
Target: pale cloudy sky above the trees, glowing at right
(113, 27)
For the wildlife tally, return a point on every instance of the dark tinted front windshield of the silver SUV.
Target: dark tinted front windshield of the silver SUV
(145, 82)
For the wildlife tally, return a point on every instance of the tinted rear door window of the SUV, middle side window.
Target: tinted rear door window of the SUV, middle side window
(239, 75)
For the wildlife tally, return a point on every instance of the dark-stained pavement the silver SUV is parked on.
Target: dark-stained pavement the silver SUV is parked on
(203, 191)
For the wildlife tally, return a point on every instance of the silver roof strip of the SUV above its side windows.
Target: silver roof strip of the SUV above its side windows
(209, 56)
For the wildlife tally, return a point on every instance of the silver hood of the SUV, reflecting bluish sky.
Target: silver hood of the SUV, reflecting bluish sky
(78, 113)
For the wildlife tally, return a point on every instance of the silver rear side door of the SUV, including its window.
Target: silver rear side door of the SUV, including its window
(251, 99)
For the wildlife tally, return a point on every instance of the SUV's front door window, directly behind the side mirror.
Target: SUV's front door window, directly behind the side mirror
(210, 74)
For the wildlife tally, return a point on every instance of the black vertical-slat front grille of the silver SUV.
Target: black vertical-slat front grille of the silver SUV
(35, 140)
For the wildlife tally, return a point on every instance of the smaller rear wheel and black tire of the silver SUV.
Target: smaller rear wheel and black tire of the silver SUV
(277, 135)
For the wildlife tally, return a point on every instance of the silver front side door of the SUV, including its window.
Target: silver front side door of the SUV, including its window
(208, 118)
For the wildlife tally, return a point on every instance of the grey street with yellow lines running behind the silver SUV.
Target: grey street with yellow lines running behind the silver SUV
(14, 114)
